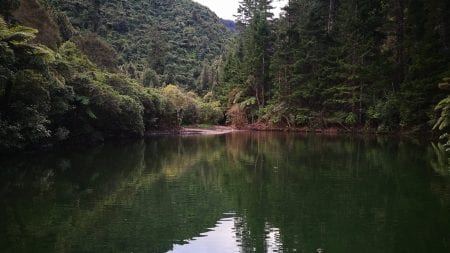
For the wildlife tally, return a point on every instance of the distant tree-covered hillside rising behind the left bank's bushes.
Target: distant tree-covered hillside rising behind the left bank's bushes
(174, 38)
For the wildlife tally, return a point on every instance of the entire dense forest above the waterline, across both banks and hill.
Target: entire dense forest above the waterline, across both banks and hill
(79, 71)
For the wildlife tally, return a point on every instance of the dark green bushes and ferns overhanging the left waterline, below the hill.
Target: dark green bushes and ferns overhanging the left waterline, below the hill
(50, 97)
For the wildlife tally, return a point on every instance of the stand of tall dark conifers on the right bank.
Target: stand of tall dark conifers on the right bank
(346, 64)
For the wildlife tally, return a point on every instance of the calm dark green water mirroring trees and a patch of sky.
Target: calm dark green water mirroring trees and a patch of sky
(241, 192)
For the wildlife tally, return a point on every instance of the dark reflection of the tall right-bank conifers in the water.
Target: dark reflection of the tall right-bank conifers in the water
(340, 194)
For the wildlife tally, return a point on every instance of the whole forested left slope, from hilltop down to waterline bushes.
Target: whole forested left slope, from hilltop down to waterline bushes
(62, 81)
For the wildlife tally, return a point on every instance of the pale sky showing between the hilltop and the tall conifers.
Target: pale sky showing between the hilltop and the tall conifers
(227, 8)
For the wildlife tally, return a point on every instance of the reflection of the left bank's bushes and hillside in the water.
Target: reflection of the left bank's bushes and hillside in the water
(107, 198)
